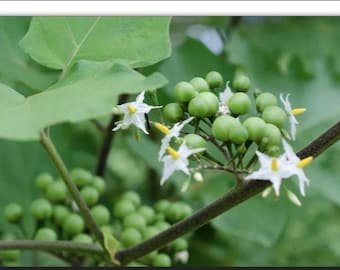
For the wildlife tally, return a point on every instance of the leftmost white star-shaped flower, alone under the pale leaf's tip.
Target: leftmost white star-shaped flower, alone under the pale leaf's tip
(134, 113)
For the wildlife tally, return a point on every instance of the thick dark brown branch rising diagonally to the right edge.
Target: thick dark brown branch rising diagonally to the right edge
(222, 204)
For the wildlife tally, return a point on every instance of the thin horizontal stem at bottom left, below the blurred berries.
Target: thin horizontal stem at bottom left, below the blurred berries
(51, 246)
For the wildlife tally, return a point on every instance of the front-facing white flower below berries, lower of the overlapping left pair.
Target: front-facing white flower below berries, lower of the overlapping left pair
(177, 160)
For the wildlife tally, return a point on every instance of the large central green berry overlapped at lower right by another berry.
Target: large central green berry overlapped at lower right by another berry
(222, 126)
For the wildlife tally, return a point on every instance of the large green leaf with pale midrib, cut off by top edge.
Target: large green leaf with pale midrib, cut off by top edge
(58, 42)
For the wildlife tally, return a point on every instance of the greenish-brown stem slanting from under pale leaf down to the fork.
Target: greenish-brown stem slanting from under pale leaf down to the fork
(59, 164)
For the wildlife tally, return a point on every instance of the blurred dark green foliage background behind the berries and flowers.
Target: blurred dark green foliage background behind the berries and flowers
(296, 55)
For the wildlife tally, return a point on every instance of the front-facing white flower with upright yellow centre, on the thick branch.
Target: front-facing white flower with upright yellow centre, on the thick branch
(272, 169)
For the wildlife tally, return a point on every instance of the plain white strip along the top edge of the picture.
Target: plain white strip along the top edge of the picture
(178, 8)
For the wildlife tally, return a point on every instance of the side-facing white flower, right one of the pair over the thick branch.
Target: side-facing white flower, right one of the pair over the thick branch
(295, 166)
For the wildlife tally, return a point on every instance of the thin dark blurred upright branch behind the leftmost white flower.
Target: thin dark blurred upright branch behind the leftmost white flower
(108, 138)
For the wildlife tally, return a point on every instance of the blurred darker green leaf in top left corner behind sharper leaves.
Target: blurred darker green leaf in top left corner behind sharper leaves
(17, 69)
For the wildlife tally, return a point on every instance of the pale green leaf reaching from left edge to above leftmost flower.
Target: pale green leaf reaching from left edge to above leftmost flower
(71, 100)
